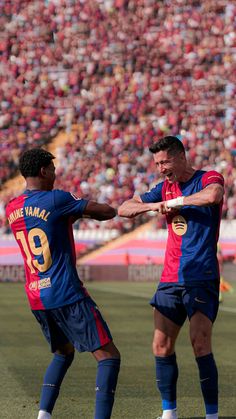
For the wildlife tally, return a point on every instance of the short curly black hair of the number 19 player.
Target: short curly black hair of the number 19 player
(31, 161)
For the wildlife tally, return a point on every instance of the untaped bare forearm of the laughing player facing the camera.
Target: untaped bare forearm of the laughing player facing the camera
(136, 206)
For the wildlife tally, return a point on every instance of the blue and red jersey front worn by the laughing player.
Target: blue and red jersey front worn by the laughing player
(193, 231)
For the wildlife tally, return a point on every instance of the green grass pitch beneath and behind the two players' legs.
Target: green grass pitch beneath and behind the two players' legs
(24, 355)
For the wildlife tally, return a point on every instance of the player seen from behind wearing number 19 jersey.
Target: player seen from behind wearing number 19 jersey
(41, 220)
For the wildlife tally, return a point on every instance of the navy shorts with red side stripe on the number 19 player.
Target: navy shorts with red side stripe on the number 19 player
(80, 323)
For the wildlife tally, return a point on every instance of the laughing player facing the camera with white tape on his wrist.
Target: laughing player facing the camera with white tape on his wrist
(189, 286)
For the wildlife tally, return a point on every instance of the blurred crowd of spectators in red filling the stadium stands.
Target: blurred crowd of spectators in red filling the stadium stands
(124, 73)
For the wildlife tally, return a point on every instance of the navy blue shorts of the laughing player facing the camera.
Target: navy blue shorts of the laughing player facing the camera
(179, 301)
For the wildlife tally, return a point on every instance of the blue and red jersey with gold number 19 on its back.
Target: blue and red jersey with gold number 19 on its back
(41, 222)
